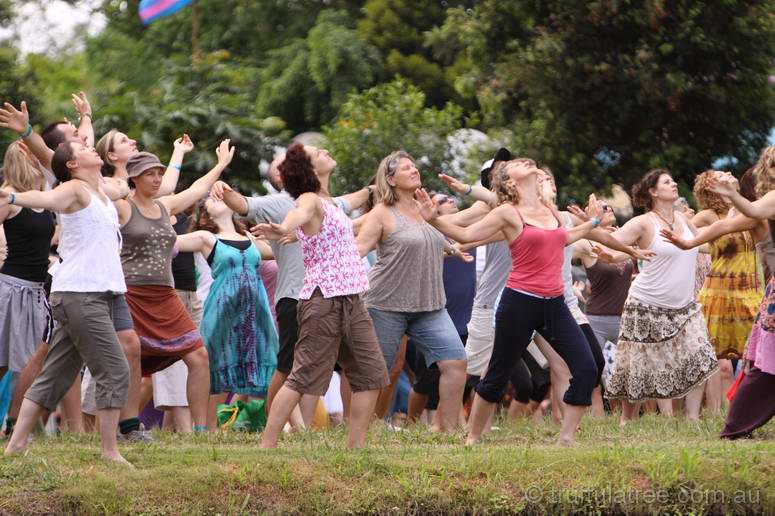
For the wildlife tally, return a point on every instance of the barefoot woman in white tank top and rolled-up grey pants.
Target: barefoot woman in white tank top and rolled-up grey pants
(88, 277)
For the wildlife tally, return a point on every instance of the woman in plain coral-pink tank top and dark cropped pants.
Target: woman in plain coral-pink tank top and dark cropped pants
(533, 297)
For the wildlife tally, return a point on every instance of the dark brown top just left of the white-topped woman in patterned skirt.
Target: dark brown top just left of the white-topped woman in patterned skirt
(610, 285)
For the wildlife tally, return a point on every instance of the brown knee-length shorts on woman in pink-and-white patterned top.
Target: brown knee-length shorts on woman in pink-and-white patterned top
(337, 329)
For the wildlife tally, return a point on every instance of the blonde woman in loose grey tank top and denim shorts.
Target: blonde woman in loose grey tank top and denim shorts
(406, 294)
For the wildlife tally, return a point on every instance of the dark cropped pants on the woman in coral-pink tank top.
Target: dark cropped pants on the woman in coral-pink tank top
(518, 316)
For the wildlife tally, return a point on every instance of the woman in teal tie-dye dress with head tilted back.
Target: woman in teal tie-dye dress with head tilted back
(237, 326)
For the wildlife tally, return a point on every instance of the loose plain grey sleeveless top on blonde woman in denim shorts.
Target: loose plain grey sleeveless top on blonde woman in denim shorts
(408, 274)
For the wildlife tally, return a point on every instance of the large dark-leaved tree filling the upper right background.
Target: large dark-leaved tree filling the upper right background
(603, 91)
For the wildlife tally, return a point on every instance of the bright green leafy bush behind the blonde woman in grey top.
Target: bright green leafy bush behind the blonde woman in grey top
(389, 117)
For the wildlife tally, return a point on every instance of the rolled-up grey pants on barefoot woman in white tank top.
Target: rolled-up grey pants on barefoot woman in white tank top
(85, 334)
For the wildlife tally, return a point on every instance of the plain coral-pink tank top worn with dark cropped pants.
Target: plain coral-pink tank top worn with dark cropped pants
(536, 259)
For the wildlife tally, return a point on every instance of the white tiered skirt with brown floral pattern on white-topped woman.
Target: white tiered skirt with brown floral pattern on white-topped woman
(662, 353)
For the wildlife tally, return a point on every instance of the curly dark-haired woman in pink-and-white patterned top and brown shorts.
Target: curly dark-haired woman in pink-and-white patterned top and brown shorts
(334, 325)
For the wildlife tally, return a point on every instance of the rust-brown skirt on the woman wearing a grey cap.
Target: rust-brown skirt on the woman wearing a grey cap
(163, 325)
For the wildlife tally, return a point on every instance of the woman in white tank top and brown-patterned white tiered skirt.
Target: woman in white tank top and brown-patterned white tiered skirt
(663, 349)
